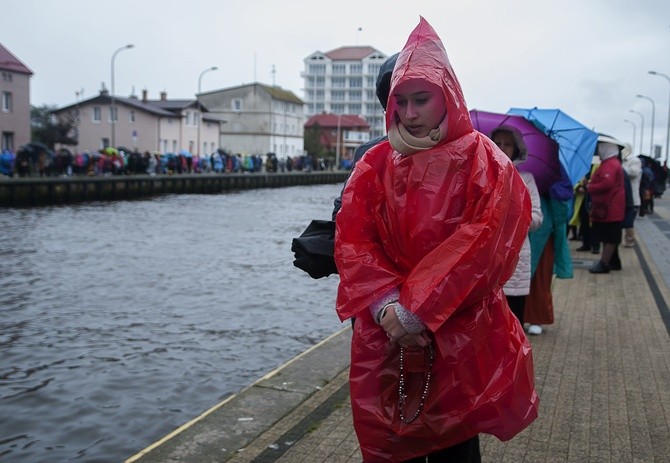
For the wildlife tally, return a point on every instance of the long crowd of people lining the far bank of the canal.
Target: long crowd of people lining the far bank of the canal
(41, 162)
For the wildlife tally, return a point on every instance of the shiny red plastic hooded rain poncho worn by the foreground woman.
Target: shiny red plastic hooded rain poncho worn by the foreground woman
(443, 227)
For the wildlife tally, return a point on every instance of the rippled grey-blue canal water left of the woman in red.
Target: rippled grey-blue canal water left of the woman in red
(121, 321)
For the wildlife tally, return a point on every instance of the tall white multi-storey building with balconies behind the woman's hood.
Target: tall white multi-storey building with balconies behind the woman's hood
(342, 81)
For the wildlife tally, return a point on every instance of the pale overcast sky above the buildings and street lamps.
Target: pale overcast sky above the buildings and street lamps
(587, 57)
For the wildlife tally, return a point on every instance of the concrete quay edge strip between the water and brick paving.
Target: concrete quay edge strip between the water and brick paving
(220, 432)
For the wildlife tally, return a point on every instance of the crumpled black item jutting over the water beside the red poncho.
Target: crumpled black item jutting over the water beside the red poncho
(314, 249)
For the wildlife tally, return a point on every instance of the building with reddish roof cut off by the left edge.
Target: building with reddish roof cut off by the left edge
(14, 101)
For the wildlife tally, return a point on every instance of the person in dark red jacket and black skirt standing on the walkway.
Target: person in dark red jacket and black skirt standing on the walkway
(608, 203)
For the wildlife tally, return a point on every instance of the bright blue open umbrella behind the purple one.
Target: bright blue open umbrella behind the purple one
(576, 142)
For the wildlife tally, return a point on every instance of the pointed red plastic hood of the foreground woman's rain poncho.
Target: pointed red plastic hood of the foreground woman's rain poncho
(424, 57)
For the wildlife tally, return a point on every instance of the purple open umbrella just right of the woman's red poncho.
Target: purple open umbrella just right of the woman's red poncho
(542, 160)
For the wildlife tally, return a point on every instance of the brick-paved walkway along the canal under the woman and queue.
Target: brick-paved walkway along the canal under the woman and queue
(602, 373)
